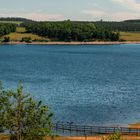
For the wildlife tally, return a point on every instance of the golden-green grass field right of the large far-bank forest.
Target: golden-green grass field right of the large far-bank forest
(130, 36)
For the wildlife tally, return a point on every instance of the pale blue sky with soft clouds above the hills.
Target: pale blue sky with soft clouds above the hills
(85, 10)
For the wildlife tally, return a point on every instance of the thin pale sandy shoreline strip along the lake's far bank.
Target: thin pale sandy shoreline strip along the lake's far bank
(71, 43)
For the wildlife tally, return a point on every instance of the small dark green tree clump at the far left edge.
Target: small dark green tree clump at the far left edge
(6, 28)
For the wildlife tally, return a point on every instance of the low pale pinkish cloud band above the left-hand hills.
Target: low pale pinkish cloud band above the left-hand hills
(39, 16)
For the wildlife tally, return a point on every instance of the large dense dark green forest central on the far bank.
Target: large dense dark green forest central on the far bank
(72, 31)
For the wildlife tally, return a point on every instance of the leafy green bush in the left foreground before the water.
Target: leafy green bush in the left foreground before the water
(22, 117)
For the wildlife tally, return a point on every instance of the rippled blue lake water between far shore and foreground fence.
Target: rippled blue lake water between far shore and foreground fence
(86, 84)
